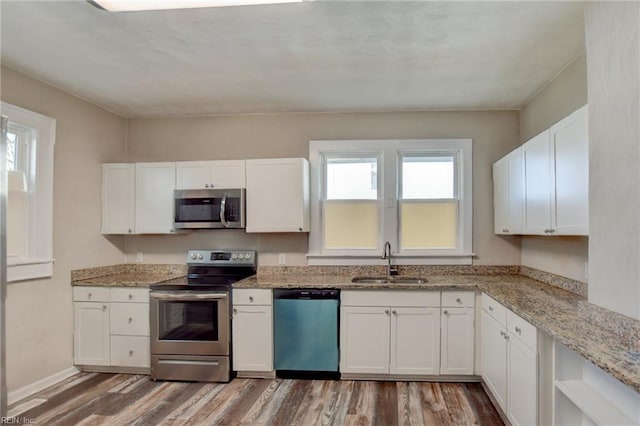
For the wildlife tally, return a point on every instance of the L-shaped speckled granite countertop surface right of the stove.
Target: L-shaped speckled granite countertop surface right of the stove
(561, 314)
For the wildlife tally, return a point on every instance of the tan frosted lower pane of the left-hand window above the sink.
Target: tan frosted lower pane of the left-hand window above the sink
(351, 225)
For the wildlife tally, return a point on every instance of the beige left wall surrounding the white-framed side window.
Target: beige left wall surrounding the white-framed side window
(39, 313)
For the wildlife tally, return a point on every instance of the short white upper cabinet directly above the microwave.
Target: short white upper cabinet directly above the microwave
(223, 174)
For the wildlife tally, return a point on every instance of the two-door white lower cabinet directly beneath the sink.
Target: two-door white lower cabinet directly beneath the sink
(388, 332)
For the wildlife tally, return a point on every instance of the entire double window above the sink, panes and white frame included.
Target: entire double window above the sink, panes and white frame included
(415, 194)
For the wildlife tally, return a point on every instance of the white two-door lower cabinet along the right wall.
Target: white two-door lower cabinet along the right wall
(510, 362)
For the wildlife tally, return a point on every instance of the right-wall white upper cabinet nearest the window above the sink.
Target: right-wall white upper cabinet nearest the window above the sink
(508, 193)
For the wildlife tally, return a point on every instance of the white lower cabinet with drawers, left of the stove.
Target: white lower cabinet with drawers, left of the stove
(111, 327)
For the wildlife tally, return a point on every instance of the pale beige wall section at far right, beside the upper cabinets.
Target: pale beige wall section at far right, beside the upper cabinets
(613, 46)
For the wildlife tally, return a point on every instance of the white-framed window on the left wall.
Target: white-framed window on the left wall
(28, 157)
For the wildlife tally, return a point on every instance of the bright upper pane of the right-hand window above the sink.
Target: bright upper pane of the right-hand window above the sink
(428, 178)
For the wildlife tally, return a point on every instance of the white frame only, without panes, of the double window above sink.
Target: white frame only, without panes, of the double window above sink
(389, 175)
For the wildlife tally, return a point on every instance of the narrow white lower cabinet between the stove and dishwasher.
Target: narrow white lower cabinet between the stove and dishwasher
(252, 325)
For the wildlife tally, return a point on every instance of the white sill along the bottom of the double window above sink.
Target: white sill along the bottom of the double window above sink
(315, 259)
